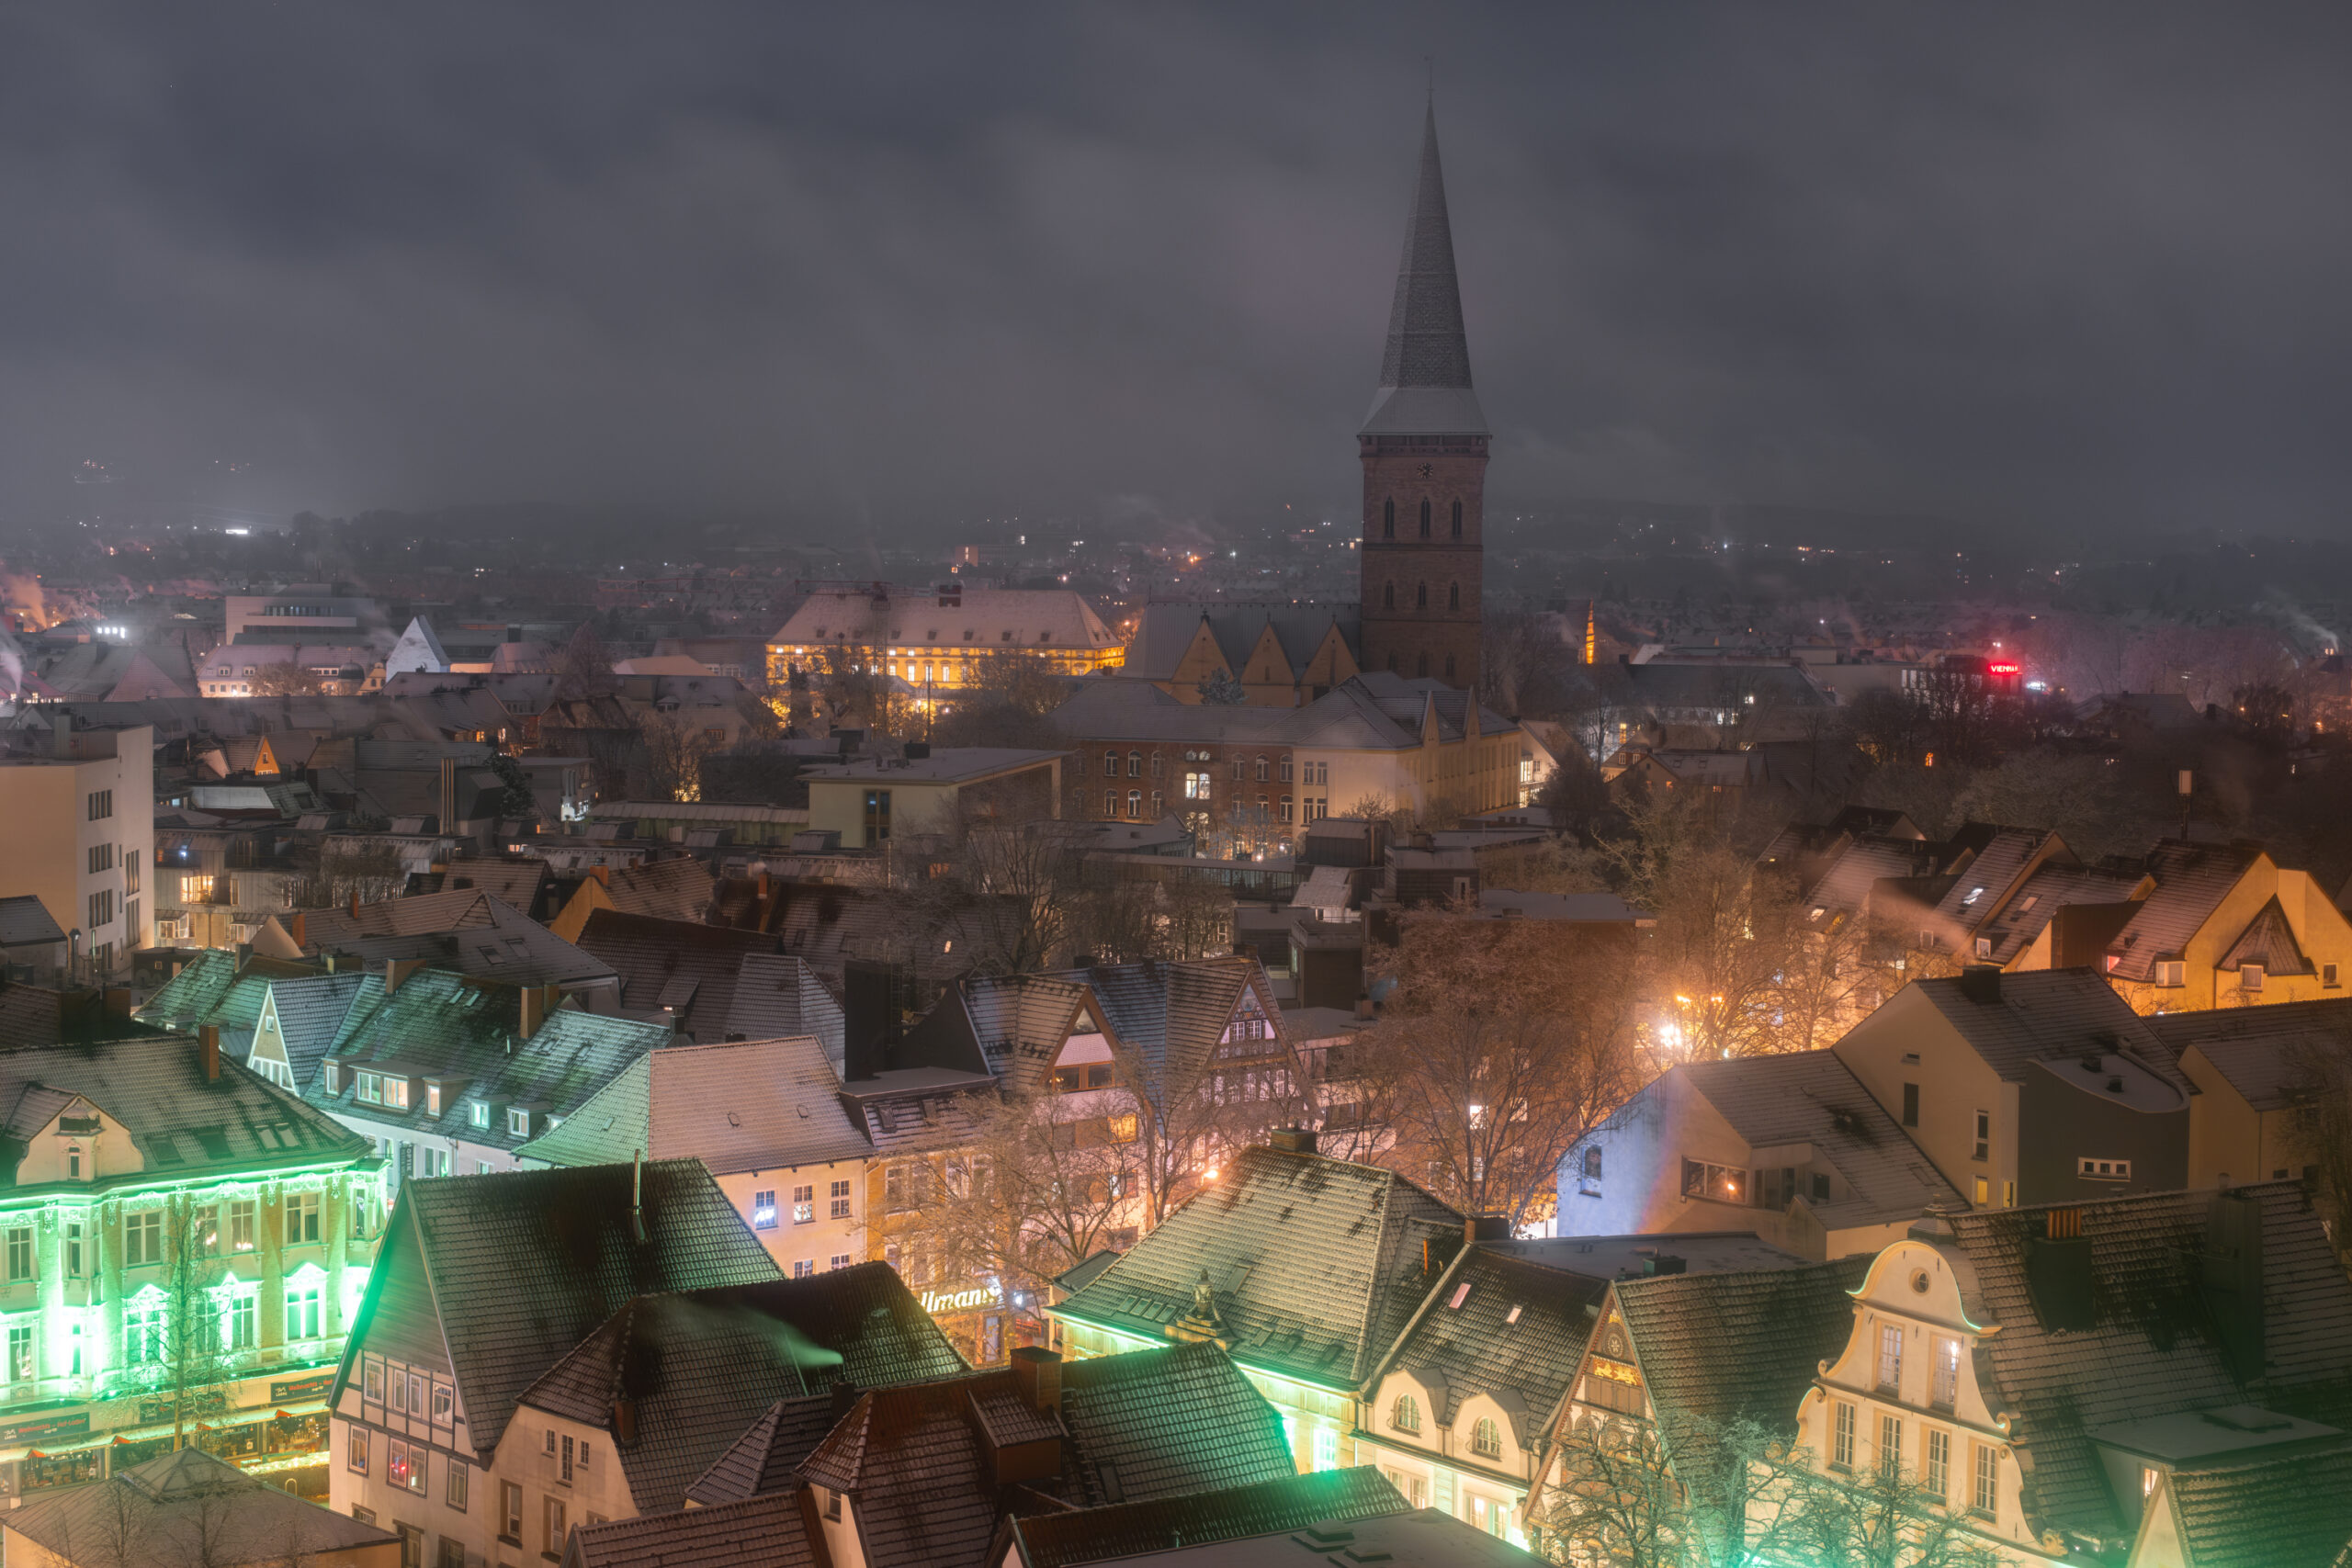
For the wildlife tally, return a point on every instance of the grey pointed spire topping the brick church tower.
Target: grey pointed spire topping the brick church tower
(1426, 366)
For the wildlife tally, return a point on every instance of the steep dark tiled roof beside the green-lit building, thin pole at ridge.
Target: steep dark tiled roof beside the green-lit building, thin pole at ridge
(563, 1245)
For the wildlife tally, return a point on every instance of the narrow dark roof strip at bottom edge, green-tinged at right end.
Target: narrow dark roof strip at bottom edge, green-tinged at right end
(1201, 1520)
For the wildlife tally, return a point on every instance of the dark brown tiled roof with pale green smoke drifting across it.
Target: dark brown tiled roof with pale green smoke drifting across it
(702, 1367)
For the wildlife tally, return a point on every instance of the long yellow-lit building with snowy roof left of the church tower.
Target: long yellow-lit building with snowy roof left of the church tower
(942, 641)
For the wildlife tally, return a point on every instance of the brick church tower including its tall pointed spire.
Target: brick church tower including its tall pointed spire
(1424, 450)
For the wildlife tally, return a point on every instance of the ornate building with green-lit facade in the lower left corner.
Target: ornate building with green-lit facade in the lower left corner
(152, 1179)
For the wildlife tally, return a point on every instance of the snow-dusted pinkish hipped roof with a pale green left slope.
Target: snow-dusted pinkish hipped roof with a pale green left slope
(744, 1106)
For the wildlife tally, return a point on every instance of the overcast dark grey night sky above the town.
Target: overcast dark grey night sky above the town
(2017, 264)
